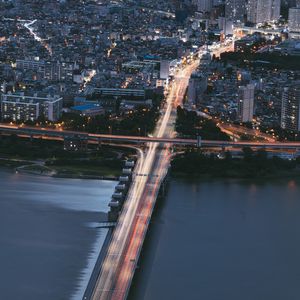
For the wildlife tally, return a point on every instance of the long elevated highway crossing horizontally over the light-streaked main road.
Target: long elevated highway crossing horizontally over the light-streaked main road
(56, 134)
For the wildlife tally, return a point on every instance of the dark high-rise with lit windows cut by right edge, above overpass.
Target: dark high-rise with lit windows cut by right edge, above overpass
(290, 110)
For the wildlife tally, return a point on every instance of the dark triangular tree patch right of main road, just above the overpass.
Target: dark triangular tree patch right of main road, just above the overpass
(189, 124)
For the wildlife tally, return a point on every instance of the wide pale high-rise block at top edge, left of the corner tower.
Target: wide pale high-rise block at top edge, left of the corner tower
(261, 11)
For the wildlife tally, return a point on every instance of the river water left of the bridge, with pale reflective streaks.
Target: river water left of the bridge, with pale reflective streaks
(48, 235)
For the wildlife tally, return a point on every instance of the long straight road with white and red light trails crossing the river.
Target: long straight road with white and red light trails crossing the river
(123, 252)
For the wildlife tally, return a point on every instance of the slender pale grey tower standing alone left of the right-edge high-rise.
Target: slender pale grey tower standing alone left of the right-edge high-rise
(246, 103)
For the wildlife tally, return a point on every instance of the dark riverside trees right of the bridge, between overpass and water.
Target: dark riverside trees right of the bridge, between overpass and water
(253, 164)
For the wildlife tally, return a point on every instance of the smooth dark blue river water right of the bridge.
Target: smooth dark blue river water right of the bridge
(223, 240)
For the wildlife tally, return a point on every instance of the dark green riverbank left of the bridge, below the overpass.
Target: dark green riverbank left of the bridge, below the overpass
(48, 158)
